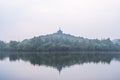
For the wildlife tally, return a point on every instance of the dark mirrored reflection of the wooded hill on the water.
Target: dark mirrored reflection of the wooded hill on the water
(59, 61)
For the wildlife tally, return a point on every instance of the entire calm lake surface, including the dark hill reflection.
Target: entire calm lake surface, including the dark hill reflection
(59, 66)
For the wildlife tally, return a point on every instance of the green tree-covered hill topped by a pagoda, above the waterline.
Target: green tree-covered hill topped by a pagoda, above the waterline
(60, 42)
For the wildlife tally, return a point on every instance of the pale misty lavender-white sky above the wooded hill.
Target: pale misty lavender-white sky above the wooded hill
(21, 19)
